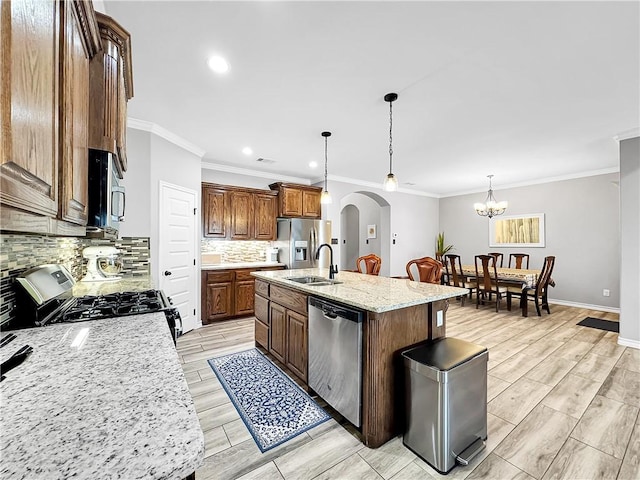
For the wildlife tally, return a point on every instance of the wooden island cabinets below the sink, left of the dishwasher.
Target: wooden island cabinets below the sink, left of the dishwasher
(282, 313)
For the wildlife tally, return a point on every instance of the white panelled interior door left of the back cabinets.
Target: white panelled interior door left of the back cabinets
(177, 251)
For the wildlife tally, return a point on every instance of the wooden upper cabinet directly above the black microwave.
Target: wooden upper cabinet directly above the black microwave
(111, 87)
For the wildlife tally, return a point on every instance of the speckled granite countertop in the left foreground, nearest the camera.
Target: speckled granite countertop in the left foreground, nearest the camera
(98, 399)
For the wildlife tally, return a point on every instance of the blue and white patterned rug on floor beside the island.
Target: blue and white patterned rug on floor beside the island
(272, 406)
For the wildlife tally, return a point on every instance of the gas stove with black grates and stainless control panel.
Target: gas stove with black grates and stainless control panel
(44, 298)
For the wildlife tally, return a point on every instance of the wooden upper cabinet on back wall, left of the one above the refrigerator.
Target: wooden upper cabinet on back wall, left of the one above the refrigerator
(237, 213)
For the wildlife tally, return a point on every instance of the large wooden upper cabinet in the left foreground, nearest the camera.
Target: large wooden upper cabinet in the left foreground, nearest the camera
(44, 82)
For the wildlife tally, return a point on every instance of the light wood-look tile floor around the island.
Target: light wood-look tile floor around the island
(563, 403)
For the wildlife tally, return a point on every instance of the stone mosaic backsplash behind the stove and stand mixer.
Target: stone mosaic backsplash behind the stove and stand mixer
(19, 252)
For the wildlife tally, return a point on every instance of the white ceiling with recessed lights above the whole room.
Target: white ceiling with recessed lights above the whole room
(524, 90)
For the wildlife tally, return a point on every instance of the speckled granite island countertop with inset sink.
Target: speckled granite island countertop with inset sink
(368, 292)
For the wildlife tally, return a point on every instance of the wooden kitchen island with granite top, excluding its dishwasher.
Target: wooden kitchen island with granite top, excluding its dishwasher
(398, 313)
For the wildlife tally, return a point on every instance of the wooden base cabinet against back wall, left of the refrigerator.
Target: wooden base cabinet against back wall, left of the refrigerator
(229, 293)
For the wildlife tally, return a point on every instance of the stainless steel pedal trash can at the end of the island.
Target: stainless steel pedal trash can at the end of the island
(446, 401)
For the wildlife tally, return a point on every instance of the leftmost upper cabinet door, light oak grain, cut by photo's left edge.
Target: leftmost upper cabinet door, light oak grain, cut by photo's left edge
(29, 107)
